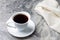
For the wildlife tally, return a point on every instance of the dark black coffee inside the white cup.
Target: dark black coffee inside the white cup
(20, 18)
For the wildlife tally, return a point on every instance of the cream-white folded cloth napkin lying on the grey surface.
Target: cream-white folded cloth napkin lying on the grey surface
(49, 10)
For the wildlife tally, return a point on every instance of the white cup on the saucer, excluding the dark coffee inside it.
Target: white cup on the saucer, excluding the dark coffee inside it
(21, 26)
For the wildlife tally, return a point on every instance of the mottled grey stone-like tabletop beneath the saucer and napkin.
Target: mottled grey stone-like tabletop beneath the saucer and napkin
(9, 7)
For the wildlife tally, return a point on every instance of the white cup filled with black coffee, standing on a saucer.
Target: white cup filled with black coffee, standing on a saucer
(20, 20)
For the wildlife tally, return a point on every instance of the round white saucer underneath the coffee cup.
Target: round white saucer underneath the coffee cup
(28, 31)
